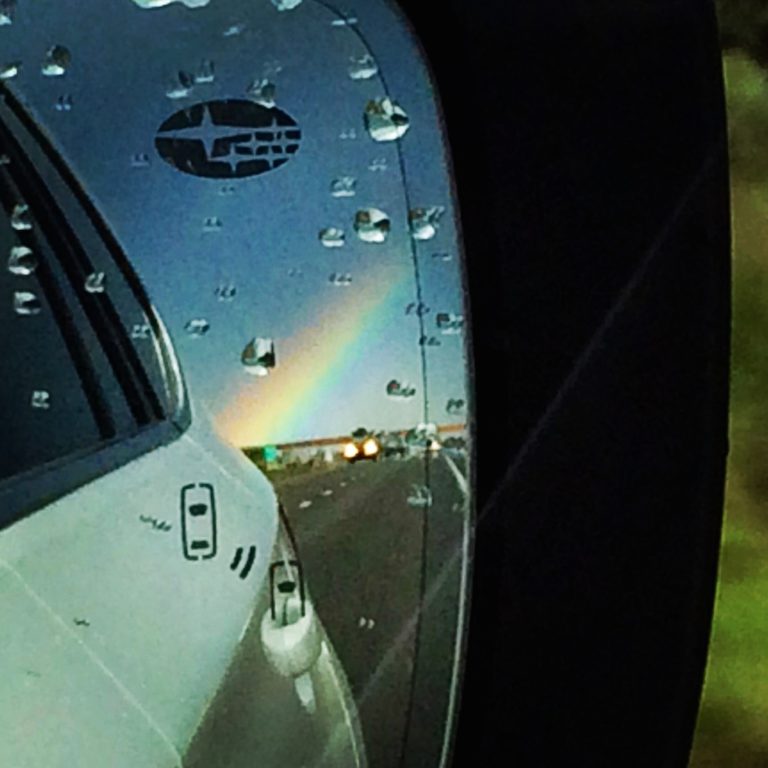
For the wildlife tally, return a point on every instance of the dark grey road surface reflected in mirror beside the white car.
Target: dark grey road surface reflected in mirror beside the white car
(369, 556)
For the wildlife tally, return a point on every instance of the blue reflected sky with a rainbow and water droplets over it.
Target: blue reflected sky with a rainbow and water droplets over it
(337, 343)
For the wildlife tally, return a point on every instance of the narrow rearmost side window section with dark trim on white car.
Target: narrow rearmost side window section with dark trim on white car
(106, 288)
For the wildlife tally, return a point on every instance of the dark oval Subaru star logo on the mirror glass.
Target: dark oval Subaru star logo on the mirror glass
(229, 139)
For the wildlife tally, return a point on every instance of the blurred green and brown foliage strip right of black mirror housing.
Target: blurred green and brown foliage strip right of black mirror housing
(730, 729)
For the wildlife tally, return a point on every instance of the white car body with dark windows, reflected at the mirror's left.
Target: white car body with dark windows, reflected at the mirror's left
(149, 581)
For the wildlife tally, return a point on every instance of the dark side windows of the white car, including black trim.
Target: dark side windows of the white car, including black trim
(88, 362)
